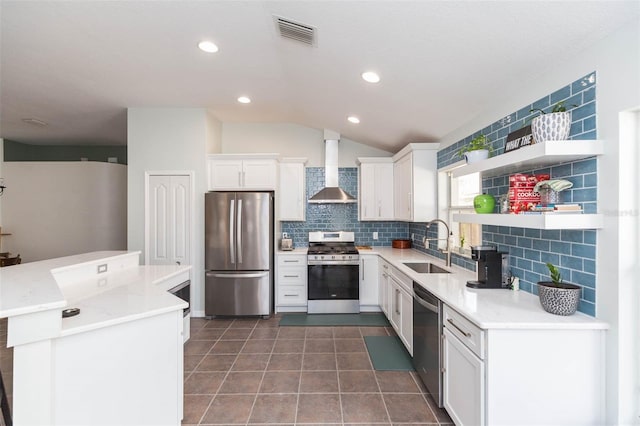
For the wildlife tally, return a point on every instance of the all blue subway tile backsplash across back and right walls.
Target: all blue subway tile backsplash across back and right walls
(529, 249)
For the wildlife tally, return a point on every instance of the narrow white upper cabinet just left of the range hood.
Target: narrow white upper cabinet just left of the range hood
(291, 190)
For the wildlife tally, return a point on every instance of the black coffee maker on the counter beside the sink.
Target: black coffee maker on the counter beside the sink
(491, 268)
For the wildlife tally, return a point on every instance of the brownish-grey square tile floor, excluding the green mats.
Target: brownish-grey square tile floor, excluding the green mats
(249, 371)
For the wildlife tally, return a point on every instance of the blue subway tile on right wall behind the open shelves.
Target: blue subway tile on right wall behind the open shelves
(573, 251)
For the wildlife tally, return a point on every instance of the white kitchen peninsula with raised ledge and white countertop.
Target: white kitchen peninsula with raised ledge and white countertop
(119, 361)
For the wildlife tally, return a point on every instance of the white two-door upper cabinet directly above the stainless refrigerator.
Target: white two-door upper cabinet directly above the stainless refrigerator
(251, 172)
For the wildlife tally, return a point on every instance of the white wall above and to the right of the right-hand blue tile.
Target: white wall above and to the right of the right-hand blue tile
(616, 61)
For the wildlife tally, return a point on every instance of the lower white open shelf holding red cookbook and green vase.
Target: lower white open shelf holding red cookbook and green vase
(535, 221)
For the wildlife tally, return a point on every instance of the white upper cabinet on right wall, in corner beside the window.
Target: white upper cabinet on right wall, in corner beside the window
(415, 182)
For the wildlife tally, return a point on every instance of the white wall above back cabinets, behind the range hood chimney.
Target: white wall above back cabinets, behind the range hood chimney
(291, 140)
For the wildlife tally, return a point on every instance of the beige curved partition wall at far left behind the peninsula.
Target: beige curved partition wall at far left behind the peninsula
(55, 209)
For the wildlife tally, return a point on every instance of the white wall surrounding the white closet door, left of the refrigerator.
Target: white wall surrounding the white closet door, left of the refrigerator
(170, 139)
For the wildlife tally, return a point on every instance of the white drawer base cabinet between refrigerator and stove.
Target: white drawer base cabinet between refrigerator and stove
(291, 282)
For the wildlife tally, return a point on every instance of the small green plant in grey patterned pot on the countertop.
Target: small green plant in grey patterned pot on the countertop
(556, 296)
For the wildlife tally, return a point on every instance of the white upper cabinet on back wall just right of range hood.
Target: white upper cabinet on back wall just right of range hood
(376, 189)
